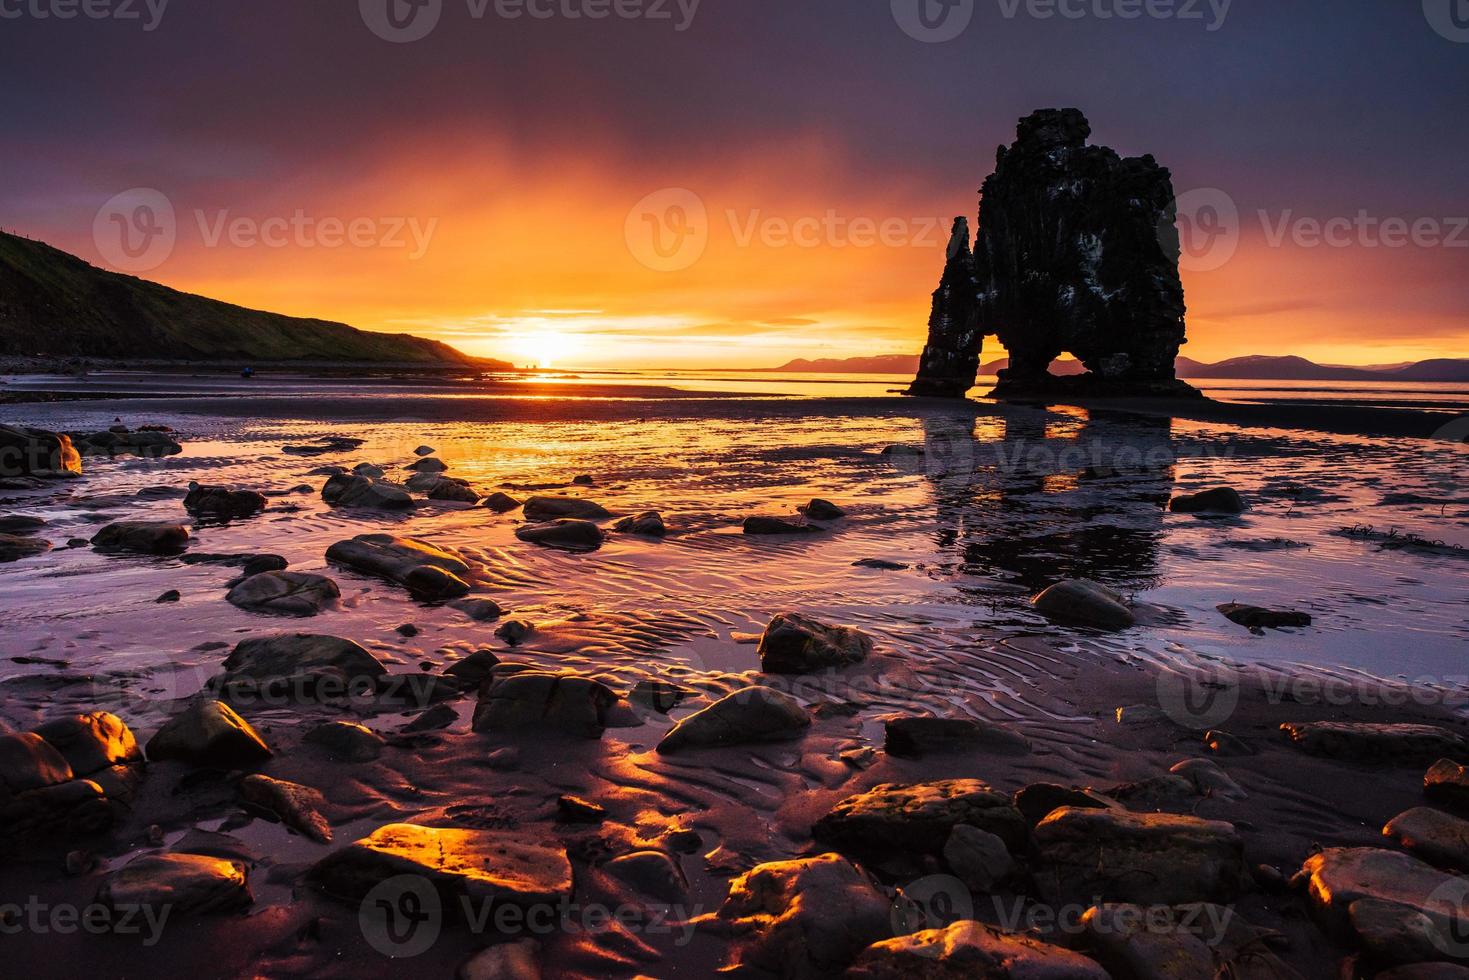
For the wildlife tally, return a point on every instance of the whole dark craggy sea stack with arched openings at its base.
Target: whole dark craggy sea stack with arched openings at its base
(1076, 253)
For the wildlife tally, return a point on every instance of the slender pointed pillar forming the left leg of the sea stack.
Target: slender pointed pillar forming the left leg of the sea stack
(953, 358)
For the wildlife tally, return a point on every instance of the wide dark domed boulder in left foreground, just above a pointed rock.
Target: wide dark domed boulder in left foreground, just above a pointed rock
(300, 666)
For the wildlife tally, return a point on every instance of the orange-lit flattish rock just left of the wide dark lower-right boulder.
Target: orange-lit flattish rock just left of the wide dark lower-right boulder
(919, 818)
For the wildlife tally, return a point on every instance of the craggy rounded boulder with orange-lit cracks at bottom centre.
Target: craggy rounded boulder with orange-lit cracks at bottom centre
(804, 919)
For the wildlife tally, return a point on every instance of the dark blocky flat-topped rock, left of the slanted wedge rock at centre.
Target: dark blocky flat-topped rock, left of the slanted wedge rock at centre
(535, 702)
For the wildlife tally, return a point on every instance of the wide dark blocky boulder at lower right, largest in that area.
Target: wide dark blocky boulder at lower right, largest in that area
(1116, 856)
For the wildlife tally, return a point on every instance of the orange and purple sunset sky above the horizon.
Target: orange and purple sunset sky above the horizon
(503, 173)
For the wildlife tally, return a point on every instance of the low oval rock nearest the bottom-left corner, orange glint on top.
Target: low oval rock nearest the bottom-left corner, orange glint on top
(184, 884)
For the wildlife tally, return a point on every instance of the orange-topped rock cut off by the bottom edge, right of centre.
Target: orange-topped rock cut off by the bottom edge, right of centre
(973, 950)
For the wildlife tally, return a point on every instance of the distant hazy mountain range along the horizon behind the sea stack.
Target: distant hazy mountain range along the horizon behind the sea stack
(1254, 368)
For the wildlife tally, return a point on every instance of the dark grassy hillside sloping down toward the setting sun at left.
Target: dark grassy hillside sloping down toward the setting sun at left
(55, 305)
